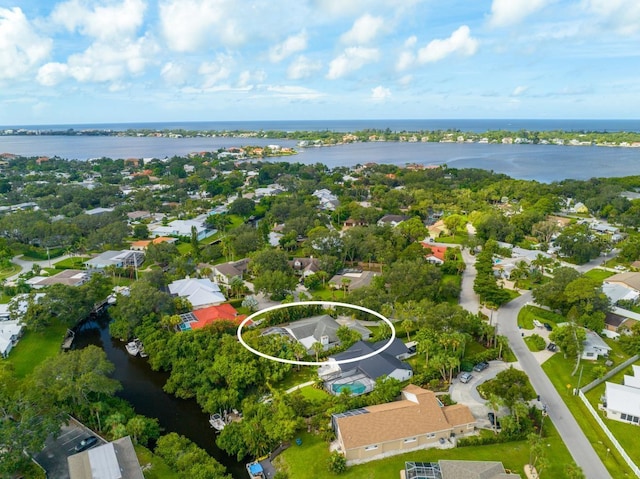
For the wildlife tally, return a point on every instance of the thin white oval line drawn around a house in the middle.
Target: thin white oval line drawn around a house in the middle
(316, 303)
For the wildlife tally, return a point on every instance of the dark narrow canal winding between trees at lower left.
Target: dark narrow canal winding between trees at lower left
(142, 388)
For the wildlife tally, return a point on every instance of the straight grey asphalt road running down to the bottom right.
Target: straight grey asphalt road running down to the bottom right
(580, 448)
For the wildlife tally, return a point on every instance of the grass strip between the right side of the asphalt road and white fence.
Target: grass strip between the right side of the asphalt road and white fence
(558, 369)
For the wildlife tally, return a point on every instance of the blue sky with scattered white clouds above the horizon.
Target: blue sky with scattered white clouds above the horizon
(104, 61)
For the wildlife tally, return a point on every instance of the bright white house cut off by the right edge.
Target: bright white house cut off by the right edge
(622, 401)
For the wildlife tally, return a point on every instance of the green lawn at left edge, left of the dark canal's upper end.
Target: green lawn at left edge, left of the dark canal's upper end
(36, 347)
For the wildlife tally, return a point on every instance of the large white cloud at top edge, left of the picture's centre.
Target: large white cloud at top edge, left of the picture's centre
(188, 25)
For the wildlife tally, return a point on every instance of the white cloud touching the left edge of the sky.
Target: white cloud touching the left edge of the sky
(21, 47)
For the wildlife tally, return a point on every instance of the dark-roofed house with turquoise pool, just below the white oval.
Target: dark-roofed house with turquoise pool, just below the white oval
(360, 376)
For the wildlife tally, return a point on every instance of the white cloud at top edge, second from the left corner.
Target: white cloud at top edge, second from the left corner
(103, 22)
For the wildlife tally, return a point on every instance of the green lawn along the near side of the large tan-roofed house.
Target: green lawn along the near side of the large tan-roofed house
(297, 459)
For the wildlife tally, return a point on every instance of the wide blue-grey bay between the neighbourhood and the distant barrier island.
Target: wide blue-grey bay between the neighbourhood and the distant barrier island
(544, 163)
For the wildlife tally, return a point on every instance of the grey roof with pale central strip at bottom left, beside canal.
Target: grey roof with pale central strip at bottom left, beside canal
(114, 460)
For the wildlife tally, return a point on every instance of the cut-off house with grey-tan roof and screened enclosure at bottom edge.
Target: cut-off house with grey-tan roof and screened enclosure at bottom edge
(456, 470)
